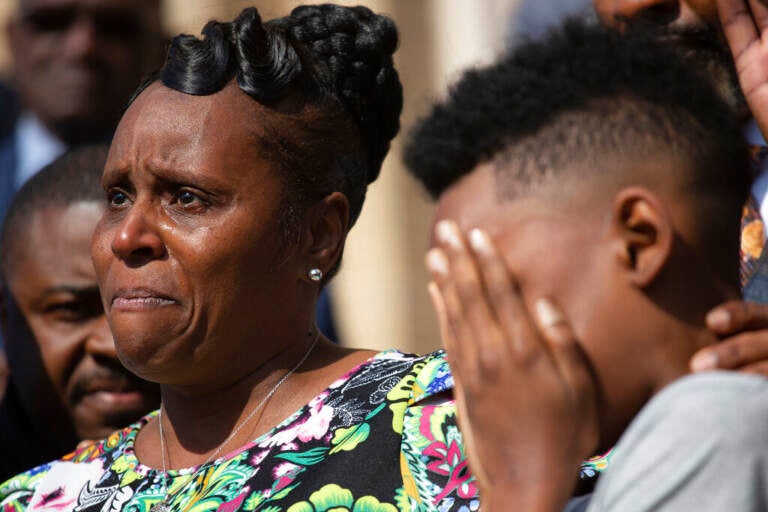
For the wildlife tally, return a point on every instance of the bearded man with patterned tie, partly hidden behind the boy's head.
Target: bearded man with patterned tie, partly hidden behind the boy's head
(693, 27)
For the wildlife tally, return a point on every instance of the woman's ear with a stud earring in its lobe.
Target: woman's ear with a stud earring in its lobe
(326, 232)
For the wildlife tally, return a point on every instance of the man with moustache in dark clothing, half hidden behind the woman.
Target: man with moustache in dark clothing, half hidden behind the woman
(66, 383)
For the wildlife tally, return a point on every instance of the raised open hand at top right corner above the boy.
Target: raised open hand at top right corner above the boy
(745, 25)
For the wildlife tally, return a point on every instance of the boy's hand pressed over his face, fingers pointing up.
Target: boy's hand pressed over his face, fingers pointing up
(526, 397)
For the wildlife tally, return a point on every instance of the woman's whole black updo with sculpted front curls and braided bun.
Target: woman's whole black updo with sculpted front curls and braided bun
(332, 63)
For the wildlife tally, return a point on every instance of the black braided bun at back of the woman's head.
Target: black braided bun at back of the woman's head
(352, 48)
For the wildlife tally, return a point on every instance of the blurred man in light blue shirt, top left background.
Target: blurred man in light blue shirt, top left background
(74, 64)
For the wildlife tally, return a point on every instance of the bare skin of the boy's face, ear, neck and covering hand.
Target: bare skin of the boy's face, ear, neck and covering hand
(623, 310)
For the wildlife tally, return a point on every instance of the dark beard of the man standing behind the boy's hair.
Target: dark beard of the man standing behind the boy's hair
(703, 48)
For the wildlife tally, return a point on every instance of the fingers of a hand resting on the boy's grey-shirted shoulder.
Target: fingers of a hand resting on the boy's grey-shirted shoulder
(744, 325)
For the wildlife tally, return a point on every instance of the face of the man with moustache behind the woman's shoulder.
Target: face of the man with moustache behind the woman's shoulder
(57, 332)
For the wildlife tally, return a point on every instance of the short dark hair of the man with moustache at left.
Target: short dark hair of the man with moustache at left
(73, 177)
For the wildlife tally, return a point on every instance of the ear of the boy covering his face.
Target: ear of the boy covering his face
(644, 234)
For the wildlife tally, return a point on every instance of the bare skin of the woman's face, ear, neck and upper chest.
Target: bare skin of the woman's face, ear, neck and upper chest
(200, 293)
